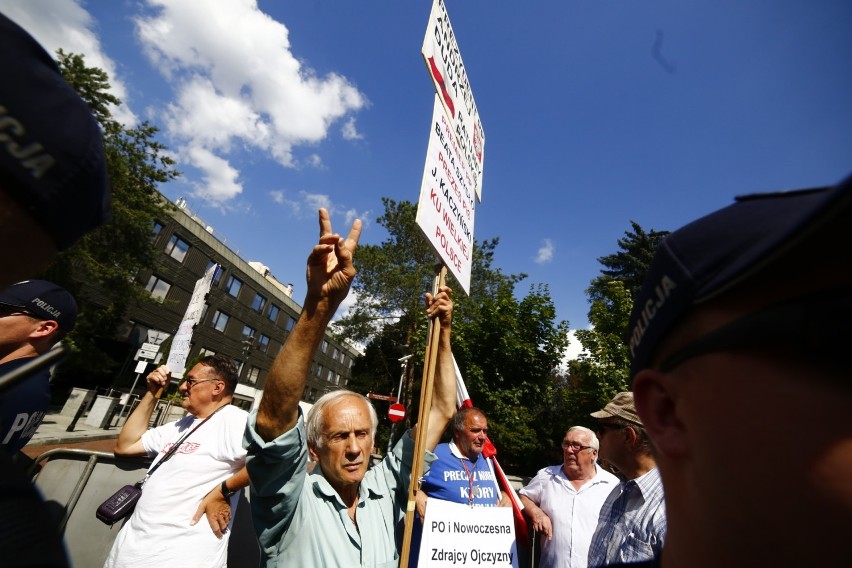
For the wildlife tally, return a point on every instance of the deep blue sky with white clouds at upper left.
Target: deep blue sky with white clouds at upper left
(595, 112)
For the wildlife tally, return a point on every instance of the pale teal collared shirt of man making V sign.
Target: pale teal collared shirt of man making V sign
(301, 520)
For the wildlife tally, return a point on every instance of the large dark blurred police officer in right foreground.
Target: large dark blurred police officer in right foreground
(739, 343)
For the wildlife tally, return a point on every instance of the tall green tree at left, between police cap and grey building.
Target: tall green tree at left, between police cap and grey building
(113, 254)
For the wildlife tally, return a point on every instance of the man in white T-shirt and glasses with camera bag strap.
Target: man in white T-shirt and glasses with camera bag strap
(202, 478)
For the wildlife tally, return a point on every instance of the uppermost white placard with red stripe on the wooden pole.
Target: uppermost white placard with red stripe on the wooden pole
(443, 60)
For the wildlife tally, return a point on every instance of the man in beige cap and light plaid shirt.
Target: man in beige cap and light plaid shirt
(632, 522)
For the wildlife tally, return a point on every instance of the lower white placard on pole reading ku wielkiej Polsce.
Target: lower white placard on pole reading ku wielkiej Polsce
(445, 211)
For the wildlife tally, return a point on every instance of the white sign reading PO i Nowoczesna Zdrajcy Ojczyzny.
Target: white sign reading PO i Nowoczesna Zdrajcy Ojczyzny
(460, 535)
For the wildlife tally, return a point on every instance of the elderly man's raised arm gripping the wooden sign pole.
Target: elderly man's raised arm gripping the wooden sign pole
(443, 407)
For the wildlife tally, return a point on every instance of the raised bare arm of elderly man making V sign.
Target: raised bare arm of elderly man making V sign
(329, 275)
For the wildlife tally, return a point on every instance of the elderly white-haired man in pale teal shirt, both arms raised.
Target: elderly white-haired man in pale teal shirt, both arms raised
(340, 514)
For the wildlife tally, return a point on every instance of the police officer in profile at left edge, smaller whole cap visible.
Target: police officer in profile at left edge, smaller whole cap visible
(34, 316)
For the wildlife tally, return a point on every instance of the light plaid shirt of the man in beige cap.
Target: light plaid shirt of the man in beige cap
(632, 523)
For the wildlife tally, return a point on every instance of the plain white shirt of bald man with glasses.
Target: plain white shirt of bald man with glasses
(573, 513)
